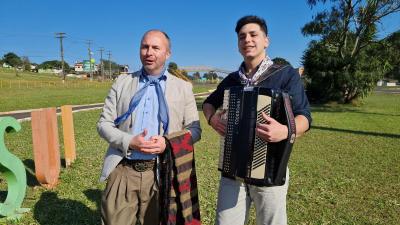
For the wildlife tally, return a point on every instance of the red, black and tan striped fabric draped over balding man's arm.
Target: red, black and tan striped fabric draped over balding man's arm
(179, 203)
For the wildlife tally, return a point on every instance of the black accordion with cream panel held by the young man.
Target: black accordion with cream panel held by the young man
(243, 155)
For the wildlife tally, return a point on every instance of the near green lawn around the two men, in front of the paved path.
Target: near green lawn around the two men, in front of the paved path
(345, 170)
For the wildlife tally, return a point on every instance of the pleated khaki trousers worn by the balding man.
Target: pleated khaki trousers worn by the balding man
(130, 197)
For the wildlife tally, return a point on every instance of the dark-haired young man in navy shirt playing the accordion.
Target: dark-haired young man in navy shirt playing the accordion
(257, 69)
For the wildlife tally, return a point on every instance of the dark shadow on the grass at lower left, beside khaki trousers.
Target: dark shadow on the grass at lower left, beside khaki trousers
(51, 210)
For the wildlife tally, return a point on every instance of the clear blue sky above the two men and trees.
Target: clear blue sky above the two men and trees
(202, 32)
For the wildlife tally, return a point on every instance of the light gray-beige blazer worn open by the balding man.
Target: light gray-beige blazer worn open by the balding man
(182, 111)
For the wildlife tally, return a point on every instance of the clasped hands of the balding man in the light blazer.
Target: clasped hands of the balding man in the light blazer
(155, 145)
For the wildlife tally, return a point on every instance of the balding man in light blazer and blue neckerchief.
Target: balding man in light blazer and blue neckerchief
(139, 109)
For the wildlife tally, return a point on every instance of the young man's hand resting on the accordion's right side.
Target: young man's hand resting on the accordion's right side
(271, 130)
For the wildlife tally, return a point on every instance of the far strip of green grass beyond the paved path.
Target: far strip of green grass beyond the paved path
(32, 91)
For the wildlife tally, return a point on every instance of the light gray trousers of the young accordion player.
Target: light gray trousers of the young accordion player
(235, 197)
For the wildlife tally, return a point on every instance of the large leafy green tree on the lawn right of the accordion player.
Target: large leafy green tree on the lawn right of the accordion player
(339, 60)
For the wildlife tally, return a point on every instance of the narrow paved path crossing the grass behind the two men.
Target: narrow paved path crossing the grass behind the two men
(25, 115)
